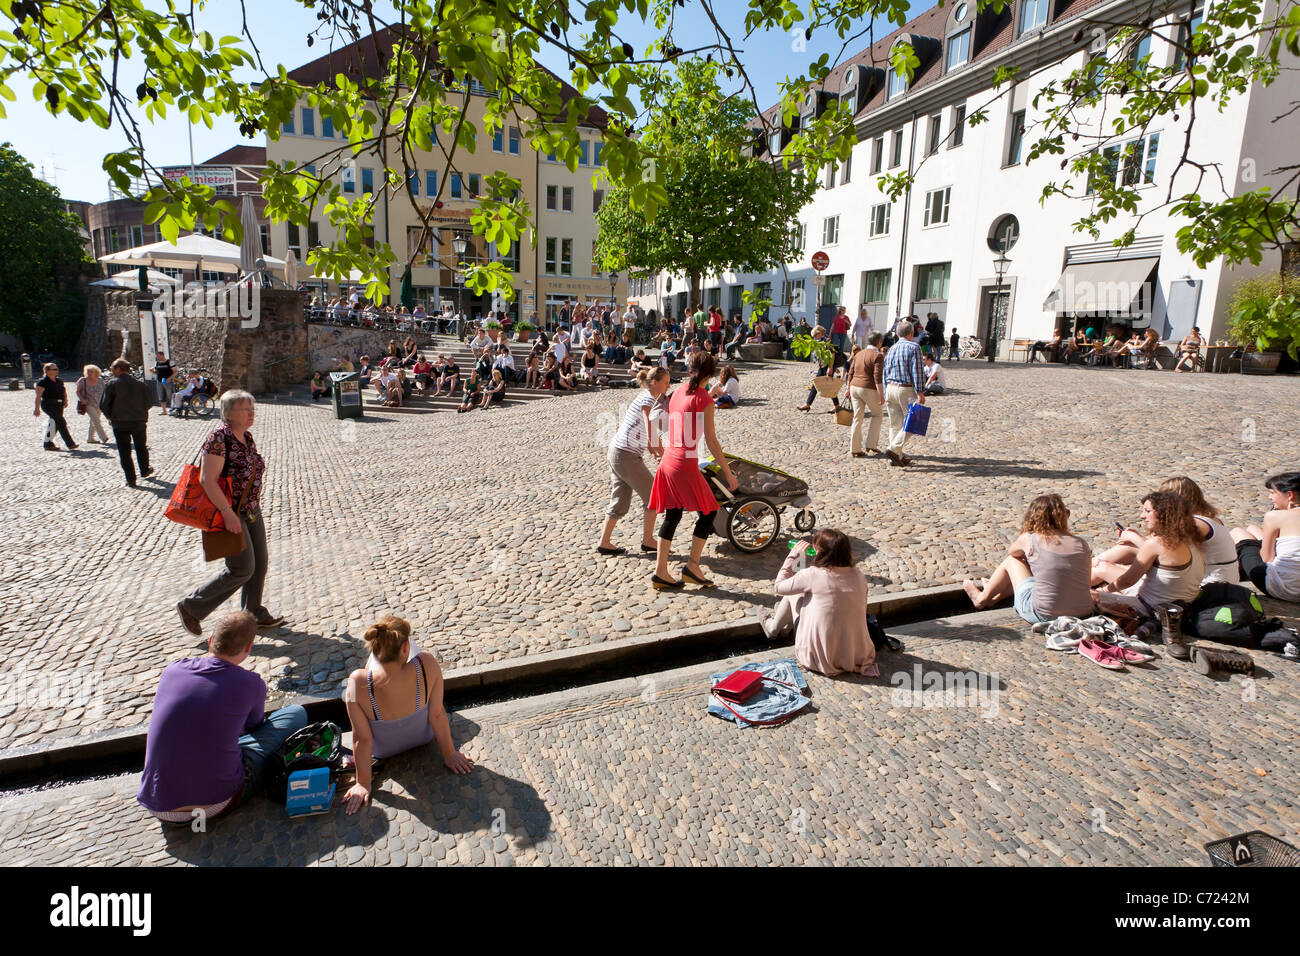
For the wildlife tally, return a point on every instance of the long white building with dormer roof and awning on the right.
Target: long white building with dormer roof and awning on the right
(934, 250)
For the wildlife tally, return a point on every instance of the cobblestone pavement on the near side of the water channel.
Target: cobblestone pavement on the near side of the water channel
(1048, 760)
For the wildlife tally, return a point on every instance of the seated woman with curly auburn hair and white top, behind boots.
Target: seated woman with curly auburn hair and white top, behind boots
(1169, 565)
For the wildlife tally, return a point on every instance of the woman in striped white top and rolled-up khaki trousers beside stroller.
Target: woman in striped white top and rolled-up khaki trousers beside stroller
(639, 434)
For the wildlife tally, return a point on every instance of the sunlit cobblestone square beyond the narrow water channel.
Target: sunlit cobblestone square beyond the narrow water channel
(482, 529)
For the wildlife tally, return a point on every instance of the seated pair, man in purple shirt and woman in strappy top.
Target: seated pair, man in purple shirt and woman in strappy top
(210, 738)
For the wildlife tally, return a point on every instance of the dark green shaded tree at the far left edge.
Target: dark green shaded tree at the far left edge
(41, 259)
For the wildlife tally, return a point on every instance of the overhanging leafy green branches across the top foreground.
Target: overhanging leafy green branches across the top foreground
(414, 94)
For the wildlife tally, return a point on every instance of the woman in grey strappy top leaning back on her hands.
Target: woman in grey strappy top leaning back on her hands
(396, 706)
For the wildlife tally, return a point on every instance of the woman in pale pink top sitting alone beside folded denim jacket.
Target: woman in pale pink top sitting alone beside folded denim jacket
(827, 605)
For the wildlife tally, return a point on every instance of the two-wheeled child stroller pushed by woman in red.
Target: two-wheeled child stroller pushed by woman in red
(751, 517)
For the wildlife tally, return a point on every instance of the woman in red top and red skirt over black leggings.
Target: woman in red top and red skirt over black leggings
(678, 483)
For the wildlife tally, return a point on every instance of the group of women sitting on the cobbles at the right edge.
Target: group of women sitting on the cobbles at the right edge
(1052, 573)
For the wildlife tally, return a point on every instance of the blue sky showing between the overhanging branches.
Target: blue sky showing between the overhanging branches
(70, 154)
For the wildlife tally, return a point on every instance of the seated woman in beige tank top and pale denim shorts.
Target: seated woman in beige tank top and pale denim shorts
(1047, 569)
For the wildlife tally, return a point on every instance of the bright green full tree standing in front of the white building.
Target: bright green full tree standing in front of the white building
(716, 207)
